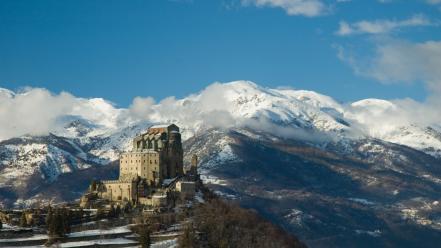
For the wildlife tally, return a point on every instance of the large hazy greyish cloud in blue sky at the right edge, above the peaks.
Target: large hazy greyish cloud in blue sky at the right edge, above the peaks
(399, 61)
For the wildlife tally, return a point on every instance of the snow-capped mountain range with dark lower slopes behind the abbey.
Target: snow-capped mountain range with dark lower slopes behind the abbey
(320, 169)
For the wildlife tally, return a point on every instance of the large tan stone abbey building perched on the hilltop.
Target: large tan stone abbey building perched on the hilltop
(151, 170)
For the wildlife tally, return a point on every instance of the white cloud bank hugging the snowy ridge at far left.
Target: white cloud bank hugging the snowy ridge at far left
(37, 111)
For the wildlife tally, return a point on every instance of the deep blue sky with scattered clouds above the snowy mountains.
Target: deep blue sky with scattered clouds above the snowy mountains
(122, 49)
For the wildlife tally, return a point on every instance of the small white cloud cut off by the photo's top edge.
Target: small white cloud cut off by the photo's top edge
(310, 8)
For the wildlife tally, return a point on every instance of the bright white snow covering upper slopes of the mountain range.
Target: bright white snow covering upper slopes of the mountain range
(97, 131)
